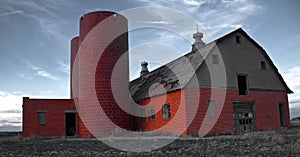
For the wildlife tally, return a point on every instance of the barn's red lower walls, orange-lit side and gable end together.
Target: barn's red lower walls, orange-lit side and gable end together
(266, 107)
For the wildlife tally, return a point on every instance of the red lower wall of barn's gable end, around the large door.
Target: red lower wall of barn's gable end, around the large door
(266, 109)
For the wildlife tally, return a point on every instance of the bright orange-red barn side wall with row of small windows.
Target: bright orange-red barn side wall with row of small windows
(177, 106)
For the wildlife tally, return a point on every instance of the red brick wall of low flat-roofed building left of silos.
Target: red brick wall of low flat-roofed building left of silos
(55, 116)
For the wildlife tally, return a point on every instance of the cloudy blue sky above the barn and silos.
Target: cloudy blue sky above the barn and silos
(35, 41)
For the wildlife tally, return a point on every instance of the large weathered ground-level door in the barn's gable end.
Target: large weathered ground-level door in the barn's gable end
(243, 117)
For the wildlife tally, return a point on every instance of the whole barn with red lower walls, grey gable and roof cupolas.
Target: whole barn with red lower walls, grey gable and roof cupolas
(229, 85)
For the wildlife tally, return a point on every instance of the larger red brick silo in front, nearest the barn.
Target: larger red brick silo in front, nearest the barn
(103, 41)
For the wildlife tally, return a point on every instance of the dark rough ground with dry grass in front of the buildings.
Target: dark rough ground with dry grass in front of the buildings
(284, 142)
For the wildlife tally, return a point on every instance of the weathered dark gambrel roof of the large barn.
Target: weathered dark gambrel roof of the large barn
(177, 73)
